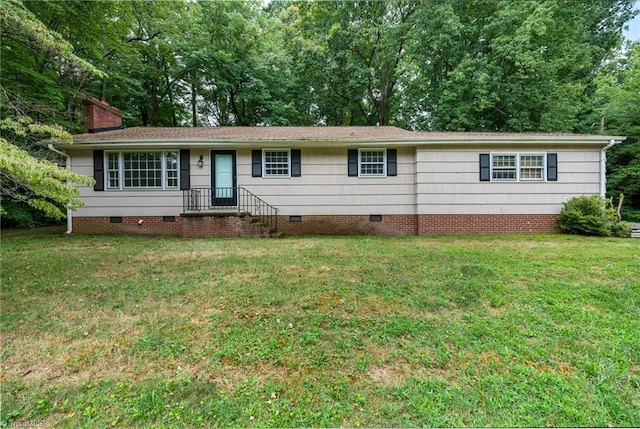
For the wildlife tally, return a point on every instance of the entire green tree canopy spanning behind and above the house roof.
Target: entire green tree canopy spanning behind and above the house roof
(474, 65)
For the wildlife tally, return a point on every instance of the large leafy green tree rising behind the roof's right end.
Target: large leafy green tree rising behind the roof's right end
(509, 66)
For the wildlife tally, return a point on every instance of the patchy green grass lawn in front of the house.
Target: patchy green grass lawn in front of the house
(320, 331)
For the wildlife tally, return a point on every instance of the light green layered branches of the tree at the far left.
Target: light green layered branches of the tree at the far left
(42, 184)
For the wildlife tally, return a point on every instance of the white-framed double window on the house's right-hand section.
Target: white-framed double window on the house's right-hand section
(517, 167)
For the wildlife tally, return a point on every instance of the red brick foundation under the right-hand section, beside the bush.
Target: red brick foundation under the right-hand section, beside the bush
(487, 224)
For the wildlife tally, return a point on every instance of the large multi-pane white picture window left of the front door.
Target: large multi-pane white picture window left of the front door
(142, 170)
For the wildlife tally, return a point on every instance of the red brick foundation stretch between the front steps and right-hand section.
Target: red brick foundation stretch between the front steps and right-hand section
(348, 225)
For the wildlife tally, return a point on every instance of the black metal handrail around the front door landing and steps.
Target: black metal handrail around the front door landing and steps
(236, 199)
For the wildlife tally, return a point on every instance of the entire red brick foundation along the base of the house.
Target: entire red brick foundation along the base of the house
(235, 226)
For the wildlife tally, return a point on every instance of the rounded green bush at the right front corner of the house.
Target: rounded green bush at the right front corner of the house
(589, 215)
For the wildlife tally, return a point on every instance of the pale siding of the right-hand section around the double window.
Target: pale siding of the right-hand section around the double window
(447, 182)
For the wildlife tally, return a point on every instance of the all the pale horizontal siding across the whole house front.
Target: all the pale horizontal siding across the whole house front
(429, 181)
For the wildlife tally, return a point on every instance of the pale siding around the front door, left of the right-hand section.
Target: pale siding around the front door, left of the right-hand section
(324, 187)
